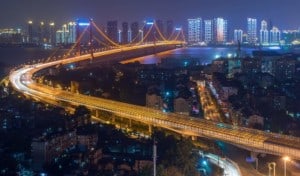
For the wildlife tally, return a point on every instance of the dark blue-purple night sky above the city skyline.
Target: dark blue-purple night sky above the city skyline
(283, 13)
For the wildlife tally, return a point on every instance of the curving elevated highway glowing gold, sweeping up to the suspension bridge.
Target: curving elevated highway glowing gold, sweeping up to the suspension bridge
(250, 139)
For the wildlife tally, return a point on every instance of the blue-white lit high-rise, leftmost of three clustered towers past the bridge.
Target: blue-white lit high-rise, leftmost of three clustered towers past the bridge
(195, 31)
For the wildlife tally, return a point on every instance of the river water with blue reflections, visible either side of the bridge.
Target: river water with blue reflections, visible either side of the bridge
(17, 56)
